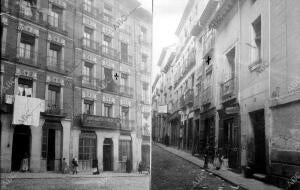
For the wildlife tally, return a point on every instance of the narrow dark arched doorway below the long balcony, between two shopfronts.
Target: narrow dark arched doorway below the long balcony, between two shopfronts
(108, 154)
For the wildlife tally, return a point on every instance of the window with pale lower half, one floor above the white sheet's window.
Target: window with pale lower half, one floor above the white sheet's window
(26, 46)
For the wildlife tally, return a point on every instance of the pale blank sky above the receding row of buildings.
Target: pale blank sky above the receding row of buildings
(166, 17)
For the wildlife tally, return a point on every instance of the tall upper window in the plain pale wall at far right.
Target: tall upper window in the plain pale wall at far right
(256, 50)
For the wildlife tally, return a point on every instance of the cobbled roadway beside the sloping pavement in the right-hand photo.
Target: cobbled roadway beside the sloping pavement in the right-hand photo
(170, 172)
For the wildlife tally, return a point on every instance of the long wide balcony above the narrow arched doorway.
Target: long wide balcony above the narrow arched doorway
(96, 121)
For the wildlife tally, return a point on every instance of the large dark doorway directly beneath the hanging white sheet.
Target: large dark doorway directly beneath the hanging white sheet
(21, 145)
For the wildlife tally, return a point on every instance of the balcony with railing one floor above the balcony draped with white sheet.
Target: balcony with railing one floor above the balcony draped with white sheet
(27, 57)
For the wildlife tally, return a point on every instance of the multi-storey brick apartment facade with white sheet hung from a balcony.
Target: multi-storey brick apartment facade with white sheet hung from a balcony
(81, 66)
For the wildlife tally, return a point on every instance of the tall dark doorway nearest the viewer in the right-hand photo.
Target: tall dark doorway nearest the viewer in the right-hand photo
(258, 123)
